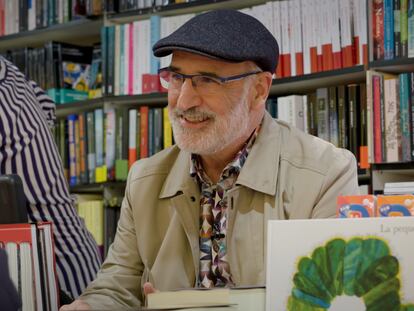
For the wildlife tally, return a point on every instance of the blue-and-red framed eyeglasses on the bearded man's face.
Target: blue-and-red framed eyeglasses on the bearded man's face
(208, 84)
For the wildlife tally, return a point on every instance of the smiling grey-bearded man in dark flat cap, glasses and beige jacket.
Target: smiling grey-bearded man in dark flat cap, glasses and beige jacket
(195, 215)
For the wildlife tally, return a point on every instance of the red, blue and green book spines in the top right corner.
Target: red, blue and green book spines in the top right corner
(392, 29)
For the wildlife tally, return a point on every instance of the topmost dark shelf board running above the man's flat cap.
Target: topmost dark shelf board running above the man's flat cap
(181, 8)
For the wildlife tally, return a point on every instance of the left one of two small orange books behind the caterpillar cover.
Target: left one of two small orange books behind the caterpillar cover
(355, 206)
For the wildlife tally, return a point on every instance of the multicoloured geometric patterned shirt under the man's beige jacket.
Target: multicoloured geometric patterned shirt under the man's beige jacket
(214, 266)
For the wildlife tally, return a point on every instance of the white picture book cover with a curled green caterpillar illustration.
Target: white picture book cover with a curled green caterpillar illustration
(340, 264)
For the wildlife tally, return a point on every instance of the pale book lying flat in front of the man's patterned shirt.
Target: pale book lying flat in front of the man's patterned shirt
(242, 299)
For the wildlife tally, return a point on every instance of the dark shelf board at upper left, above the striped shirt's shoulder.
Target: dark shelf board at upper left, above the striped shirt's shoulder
(81, 31)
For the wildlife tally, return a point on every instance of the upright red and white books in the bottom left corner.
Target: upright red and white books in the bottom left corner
(31, 264)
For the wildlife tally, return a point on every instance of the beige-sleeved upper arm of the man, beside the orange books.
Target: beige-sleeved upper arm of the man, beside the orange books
(341, 179)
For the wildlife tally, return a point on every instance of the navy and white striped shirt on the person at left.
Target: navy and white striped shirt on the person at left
(27, 148)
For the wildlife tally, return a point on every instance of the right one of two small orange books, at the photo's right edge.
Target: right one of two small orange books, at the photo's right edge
(395, 205)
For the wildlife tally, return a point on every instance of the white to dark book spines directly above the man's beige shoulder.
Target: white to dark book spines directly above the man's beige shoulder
(336, 114)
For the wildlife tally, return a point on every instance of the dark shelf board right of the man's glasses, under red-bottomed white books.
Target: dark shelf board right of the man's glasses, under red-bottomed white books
(307, 83)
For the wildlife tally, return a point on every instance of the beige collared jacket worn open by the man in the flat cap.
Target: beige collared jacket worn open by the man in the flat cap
(287, 175)
